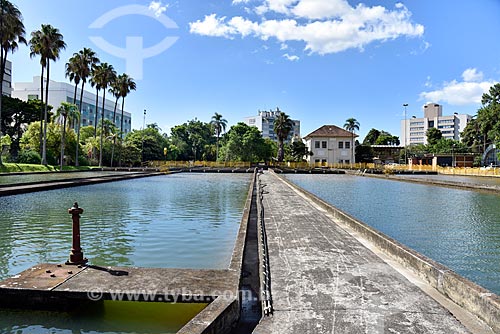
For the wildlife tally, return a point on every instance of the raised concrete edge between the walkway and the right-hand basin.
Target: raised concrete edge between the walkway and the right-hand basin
(477, 300)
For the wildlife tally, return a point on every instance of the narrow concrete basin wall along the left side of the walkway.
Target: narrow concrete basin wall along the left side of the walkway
(222, 314)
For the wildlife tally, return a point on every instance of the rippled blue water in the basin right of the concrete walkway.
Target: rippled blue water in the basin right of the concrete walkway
(458, 228)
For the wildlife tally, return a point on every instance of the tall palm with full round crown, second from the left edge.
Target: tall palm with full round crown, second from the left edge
(48, 43)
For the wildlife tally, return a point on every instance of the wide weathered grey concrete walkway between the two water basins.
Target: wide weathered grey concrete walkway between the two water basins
(325, 281)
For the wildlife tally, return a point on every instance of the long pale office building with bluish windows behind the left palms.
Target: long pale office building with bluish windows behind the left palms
(64, 92)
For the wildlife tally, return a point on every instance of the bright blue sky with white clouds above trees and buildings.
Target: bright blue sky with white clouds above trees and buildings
(320, 61)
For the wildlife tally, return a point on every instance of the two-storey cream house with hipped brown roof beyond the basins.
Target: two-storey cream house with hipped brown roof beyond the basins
(330, 145)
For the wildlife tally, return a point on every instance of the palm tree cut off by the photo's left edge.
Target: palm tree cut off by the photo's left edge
(11, 34)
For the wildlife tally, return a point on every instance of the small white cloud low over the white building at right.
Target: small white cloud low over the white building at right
(468, 91)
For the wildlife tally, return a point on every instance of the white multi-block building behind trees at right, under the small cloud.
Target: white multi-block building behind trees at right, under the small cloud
(414, 130)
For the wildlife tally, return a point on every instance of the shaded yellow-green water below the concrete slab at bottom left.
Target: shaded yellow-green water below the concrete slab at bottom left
(106, 317)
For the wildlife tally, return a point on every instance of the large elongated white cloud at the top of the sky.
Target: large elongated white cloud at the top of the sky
(324, 26)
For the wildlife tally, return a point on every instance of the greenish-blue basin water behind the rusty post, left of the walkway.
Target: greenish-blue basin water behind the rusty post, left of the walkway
(176, 221)
